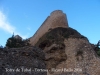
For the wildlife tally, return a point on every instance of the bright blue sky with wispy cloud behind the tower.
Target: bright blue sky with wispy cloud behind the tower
(24, 17)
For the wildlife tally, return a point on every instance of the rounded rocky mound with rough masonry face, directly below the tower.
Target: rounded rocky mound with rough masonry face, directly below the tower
(65, 48)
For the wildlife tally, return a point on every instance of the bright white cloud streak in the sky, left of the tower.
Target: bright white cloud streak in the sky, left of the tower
(6, 26)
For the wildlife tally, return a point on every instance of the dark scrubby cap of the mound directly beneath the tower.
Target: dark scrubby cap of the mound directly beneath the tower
(57, 36)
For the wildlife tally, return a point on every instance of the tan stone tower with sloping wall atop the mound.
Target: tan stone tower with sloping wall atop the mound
(56, 19)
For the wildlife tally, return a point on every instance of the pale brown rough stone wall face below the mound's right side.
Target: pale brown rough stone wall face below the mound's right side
(80, 54)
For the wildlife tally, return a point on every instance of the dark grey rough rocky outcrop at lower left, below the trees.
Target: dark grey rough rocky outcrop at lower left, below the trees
(22, 61)
